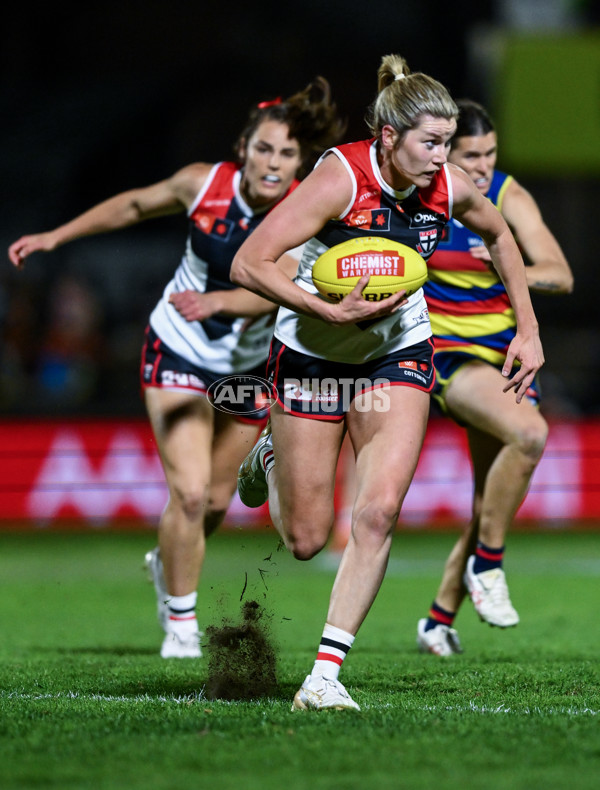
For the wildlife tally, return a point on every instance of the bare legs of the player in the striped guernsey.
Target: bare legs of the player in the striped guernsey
(506, 441)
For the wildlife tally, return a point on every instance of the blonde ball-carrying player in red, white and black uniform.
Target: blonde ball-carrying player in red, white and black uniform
(391, 178)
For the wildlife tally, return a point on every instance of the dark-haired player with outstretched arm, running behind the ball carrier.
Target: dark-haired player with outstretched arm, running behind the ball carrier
(204, 329)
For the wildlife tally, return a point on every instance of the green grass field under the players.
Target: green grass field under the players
(86, 701)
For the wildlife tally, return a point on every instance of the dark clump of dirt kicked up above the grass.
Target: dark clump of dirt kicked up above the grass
(241, 658)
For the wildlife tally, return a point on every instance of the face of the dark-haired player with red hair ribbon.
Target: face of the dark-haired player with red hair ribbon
(271, 161)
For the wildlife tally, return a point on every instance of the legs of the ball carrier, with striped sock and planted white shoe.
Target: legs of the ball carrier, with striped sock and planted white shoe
(386, 446)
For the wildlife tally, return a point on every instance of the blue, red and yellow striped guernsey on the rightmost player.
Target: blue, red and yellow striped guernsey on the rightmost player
(470, 312)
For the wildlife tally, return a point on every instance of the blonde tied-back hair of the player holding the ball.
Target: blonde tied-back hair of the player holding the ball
(403, 98)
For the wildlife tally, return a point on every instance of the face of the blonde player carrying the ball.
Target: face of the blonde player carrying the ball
(419, 155)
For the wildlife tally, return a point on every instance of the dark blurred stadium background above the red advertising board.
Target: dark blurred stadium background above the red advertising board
(100, 98)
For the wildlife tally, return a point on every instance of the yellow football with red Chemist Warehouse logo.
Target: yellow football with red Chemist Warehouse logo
(392, 267)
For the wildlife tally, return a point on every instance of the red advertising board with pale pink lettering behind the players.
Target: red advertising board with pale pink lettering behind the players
(108, 471)
